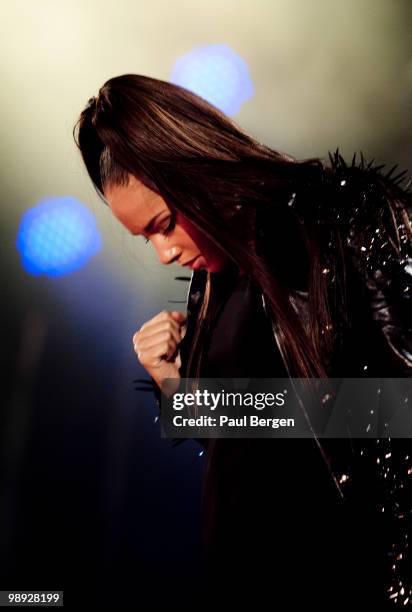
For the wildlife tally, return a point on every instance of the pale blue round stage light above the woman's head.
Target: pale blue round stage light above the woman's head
(217, 74)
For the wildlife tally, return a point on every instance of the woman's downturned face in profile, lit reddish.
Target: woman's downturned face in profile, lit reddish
(144, 212)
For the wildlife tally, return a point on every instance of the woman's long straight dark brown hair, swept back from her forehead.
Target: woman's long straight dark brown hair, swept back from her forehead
(225, 182)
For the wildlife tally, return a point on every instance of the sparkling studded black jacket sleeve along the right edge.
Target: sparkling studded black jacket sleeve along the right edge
(373, 214)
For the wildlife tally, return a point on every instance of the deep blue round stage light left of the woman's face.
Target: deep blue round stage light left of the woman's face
(57, 236)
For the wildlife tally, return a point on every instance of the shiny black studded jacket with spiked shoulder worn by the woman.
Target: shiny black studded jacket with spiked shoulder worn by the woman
(351, 203)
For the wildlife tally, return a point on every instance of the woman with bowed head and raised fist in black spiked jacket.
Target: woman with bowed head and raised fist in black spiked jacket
(300, 269)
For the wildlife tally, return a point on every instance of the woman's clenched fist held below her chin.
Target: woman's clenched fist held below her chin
(156, 344)
